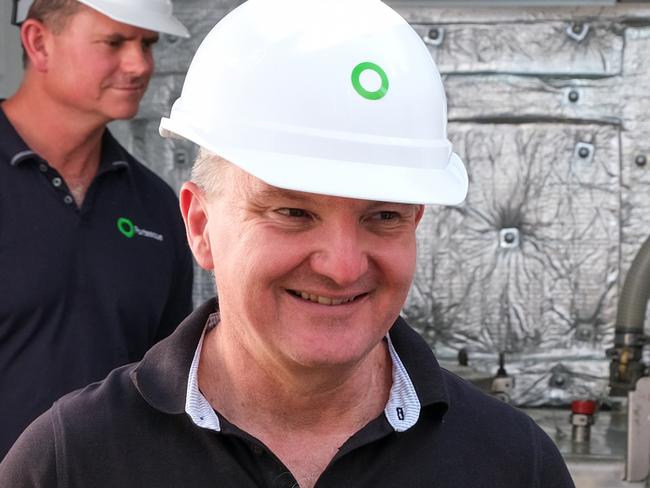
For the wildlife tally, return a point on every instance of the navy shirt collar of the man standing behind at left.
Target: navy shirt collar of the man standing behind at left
(15, 151)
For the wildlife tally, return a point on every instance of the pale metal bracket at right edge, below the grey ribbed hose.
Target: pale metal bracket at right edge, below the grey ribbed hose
(637, 464)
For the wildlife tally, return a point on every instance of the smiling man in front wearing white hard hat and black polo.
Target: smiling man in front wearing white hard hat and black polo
(322, 125)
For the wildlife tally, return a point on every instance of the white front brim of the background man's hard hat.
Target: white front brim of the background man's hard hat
(150, 20)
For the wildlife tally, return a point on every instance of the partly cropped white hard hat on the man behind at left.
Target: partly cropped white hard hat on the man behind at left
(155, 15)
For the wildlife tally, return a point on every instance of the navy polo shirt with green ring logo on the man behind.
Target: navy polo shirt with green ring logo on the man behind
(82, 290)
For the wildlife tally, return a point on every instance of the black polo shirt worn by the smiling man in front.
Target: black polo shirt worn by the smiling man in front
(132, 431)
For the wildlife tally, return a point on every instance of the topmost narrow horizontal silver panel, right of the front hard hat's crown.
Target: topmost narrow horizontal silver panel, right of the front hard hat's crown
(587, 49)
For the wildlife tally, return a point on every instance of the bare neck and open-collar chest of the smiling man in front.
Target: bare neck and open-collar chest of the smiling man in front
(304, 417)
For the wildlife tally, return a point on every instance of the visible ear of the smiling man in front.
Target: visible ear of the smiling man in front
(195, 215)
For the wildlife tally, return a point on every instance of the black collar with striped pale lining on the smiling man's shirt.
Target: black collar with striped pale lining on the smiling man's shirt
(163, 380)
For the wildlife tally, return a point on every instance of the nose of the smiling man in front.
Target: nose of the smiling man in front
(342, 254)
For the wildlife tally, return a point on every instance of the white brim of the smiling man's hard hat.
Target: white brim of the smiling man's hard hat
(446, 185)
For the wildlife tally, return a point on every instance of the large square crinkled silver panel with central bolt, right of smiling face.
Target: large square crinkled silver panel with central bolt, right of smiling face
(529, 264)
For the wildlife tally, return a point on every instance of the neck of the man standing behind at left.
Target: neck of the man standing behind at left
(69, 141)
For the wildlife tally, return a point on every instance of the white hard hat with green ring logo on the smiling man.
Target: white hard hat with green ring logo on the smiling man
(336, 97)
